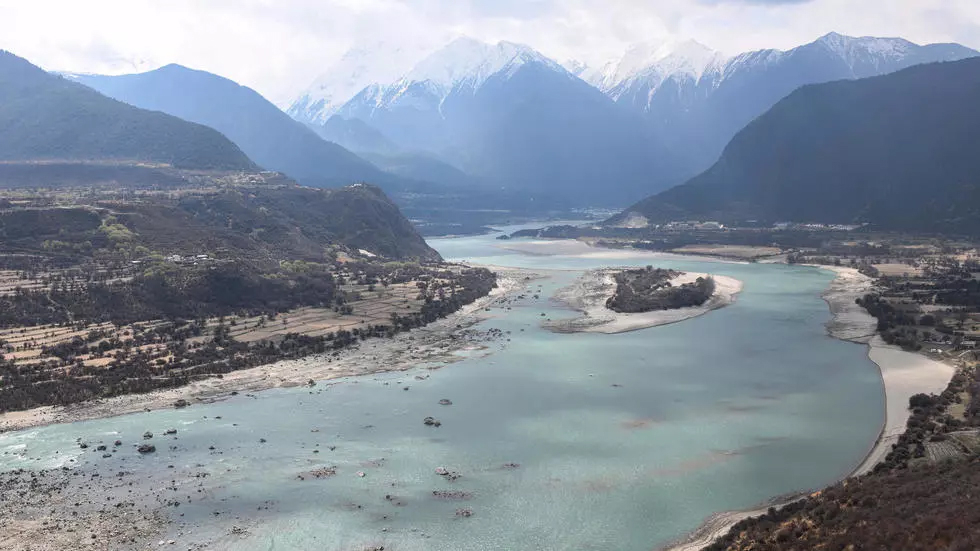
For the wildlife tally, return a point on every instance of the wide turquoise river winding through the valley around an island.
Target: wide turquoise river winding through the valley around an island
(562, 441)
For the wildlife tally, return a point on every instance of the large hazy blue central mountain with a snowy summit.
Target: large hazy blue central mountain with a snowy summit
(507, 114)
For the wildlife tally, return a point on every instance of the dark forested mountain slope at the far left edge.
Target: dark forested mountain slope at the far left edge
(44, 117)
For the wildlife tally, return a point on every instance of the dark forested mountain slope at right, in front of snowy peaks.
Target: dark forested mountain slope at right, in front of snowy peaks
(900, 151)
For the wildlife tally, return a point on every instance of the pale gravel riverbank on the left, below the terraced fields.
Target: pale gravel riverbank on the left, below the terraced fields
(438, 344)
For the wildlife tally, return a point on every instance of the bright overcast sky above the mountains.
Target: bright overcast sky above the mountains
(279, 46)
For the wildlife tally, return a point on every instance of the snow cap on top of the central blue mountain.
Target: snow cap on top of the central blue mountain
(471, 62)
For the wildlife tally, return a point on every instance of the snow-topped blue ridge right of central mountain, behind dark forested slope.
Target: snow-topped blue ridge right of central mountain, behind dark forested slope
(700, 98)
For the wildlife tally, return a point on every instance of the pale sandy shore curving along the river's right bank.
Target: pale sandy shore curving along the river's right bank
(902, 374)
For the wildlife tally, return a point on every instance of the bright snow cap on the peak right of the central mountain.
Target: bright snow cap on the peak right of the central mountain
(657, 59)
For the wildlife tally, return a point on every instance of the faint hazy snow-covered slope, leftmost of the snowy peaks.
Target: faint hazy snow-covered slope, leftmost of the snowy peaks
(358, 68)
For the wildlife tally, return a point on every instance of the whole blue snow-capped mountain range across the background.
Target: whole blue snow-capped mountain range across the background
(657, 116)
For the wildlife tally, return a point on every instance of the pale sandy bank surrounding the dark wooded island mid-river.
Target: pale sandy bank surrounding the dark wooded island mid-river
(590, 292)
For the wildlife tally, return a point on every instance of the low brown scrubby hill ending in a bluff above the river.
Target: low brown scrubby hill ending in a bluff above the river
(256, 222)
